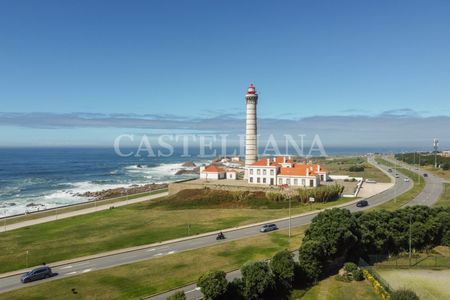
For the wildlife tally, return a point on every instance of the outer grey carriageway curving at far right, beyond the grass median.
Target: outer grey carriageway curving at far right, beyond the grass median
(434, 185)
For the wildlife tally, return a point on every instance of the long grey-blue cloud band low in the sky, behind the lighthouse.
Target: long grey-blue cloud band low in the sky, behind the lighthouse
(401, 126)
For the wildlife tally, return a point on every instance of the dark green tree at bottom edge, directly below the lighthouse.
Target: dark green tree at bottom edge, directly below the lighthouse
(258, 280)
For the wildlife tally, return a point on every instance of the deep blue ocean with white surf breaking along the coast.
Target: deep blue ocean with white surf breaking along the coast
(52, 177)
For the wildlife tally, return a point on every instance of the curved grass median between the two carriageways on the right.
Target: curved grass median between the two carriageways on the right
(407, 196)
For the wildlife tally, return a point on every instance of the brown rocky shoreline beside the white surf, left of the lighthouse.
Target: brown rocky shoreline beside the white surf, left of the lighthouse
(120, 192)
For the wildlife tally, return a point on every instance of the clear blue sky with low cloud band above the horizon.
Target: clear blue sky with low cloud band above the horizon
(80, 73)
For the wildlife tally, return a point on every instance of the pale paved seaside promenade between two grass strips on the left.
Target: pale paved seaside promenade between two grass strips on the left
(79, 212)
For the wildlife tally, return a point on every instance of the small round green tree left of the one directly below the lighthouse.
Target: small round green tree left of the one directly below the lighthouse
(213, 285)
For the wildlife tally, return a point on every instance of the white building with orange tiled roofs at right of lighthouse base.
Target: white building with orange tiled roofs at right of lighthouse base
(284, 171)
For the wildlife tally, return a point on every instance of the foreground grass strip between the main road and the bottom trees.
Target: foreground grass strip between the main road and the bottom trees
(137, 280)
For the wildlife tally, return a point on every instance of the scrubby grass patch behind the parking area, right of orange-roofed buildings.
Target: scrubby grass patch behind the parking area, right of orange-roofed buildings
(340, 166)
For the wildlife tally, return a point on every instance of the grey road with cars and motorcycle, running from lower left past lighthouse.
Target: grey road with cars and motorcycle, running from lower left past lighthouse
(76, 268)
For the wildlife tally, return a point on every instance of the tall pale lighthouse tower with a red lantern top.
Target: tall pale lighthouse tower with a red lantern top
(251, 145)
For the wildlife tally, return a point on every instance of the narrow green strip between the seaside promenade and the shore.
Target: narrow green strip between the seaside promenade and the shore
(90, 204)
